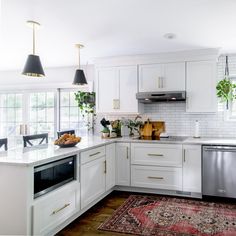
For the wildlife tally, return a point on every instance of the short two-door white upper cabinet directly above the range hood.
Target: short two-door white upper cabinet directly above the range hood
(162, 77)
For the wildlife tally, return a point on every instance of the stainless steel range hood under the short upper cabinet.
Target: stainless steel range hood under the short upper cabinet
(167, 96)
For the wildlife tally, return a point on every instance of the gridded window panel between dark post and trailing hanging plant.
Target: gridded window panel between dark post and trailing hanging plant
(70, 117)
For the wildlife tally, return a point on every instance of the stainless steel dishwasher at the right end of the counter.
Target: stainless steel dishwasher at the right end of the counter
(219, 171)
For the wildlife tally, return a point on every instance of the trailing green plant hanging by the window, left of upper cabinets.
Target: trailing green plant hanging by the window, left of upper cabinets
(86, 104)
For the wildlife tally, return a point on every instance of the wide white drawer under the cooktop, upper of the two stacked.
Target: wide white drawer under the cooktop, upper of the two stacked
(157, 154)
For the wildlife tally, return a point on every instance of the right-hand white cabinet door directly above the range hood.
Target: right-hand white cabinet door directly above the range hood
(174, 76)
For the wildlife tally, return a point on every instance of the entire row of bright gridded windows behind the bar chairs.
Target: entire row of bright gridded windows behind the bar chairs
(41, 111)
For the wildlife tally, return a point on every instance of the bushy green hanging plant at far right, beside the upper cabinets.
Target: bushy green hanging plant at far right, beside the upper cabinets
(226, 91)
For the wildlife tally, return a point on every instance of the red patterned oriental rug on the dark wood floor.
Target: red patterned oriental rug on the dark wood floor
(152, 215)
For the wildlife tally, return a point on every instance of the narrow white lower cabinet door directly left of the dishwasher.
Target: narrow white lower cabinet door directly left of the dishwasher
(192, 173)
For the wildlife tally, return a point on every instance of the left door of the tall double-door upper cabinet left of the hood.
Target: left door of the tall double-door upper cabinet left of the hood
(107, 84)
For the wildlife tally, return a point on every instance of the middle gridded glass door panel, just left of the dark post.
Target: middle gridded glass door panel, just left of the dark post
(42, 113)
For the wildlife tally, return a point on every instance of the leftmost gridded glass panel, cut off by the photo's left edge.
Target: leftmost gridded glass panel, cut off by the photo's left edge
(11, 113)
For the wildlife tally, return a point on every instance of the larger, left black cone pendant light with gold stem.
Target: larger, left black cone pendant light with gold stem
(33, 66)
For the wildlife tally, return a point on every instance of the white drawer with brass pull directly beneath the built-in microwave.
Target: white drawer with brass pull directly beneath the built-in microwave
(53, 210)
